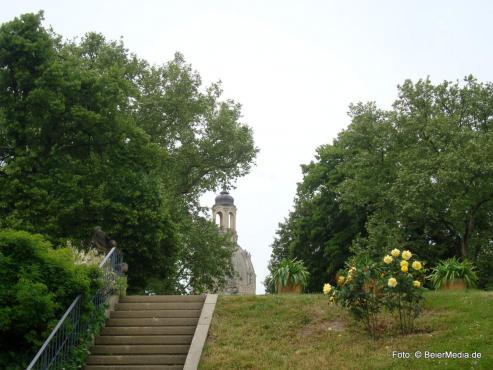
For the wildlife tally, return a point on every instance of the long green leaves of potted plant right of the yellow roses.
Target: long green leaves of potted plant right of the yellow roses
(452, 269)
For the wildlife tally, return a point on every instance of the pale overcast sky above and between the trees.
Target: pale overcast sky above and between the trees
(294, 66)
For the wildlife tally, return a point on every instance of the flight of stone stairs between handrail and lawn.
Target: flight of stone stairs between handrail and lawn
(147, 333)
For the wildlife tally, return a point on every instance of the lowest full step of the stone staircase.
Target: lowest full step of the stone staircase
(137, 360)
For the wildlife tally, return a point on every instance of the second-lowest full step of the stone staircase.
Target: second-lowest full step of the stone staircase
(140, 349)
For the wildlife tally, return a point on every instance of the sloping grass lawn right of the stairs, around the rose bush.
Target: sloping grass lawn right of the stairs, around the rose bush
(304, 332)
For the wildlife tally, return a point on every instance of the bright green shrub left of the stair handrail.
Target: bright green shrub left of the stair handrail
(37, 284)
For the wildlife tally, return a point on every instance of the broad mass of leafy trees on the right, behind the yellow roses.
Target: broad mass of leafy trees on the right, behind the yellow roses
(419, 175)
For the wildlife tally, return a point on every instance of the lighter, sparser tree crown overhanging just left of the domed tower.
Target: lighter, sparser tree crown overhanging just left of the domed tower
(207, 145)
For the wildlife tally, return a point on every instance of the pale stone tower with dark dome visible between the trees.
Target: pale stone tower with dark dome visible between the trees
(244, 279)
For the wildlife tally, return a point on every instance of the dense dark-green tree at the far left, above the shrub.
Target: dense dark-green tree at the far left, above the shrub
(72, 157)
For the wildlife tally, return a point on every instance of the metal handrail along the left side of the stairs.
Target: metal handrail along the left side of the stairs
(68, 331)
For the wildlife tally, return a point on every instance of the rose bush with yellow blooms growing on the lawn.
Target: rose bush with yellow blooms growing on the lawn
(367, 287)
